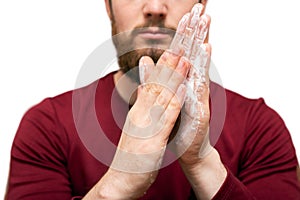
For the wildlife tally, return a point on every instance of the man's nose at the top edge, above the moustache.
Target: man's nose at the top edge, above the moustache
(155, 10)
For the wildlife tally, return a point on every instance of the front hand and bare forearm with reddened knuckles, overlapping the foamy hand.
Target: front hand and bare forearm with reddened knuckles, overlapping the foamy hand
(147, 128)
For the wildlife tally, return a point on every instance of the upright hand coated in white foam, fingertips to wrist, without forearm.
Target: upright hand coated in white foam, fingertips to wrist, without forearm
(192, 138)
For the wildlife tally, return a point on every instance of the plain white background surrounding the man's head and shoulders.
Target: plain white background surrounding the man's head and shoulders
(44, 43)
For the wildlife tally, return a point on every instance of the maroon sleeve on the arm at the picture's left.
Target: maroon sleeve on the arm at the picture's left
(38, 168)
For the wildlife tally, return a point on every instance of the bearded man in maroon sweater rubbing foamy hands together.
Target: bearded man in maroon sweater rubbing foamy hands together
(251, 157)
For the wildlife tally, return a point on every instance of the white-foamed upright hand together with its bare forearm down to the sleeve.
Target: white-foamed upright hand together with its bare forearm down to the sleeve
(199, 160)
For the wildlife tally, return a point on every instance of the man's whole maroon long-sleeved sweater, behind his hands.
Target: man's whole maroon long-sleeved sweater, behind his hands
(49, 158)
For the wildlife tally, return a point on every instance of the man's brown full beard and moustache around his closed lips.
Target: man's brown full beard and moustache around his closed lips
(130, 50)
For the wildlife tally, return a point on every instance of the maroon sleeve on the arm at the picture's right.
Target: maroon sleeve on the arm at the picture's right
(267, 164)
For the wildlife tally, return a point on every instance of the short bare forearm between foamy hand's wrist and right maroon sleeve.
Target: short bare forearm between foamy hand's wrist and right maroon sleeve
(207, 176)
